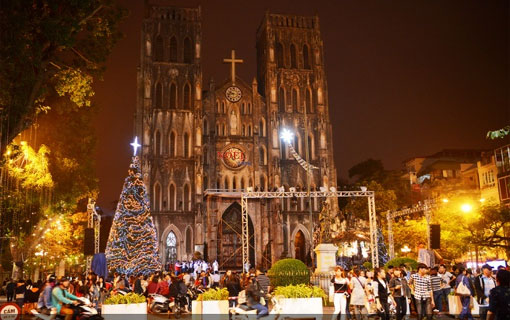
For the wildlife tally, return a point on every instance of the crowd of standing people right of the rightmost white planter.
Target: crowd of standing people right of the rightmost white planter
(424, 292)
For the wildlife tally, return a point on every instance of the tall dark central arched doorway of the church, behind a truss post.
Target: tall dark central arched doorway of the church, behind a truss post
(230, 255)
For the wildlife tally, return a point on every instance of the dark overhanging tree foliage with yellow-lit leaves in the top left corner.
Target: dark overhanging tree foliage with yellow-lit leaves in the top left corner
(52, 48)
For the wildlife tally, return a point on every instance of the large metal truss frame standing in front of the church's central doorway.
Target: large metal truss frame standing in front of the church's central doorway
(245, 195)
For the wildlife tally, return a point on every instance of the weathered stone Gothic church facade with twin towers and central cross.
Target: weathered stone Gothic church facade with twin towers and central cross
(202, 143)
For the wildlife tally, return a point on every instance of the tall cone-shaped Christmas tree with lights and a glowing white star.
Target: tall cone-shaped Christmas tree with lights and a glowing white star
(132, 247)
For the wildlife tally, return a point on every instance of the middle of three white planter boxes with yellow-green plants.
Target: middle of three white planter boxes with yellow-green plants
(213, 302)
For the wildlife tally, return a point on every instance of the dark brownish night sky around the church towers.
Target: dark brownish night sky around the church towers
(405, 78)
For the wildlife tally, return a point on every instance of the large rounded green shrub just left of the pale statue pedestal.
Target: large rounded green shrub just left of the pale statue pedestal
(288, 272)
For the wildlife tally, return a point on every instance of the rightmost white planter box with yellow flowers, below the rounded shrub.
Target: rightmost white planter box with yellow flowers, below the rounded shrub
(300, 299)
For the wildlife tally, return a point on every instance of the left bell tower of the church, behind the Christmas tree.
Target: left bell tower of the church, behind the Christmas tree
(168, 120)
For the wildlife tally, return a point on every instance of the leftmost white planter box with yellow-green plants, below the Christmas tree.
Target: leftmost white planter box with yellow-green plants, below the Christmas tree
(130, 303)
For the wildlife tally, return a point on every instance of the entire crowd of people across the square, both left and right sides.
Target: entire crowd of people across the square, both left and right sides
(357, 293)
